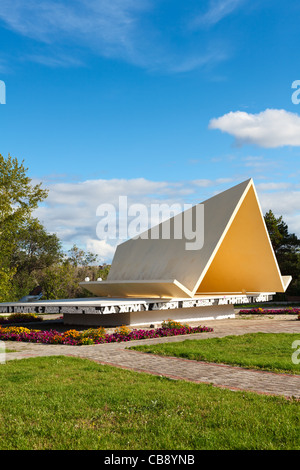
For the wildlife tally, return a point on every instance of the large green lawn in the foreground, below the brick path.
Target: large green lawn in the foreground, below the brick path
(70, 403)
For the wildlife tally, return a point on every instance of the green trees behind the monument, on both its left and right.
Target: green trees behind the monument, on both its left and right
(30, 256)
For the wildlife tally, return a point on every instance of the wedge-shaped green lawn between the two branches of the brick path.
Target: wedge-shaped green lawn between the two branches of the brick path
(266, 351)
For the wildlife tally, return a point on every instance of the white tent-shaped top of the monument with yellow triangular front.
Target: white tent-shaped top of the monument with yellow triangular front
(236, 257)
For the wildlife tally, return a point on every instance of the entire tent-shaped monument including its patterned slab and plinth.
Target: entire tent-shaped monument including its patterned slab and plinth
(155, 278)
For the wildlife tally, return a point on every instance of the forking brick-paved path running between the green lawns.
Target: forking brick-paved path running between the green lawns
(234, 378)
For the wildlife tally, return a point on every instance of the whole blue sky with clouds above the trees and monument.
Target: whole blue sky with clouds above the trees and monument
(156, 100)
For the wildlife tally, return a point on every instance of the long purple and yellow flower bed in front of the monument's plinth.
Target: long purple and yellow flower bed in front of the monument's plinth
(92, 336)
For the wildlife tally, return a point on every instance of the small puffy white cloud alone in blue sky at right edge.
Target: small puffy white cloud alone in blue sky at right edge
(269, 129)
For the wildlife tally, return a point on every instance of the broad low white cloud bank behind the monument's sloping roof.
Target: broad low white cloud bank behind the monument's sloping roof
(70, 209)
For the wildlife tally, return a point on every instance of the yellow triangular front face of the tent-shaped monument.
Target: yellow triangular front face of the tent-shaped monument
(245, 261)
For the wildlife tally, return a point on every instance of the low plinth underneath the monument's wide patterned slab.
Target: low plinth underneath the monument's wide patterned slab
(146, 318)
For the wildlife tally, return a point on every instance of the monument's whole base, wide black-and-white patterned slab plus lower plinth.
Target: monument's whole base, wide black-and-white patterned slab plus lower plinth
(106, 311)
